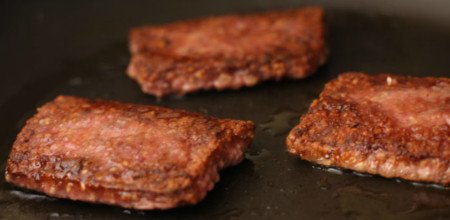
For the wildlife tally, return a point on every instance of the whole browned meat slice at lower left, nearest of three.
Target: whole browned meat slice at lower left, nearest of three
(135, 156)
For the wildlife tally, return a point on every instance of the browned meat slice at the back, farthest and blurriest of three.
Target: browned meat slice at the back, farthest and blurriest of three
(227, 52)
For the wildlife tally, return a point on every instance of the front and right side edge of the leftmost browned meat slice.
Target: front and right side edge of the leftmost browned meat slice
(230, 153)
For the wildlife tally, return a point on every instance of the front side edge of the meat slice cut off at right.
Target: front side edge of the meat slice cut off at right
(379, 162)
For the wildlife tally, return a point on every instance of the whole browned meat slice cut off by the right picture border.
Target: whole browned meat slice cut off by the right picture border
(394, 126)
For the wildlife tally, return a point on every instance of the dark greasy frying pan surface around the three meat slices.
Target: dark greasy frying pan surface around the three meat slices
(80, 48)
